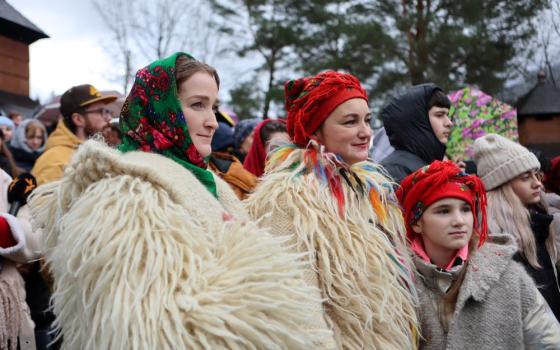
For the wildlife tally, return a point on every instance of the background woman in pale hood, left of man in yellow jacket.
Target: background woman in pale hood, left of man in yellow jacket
(28, 143)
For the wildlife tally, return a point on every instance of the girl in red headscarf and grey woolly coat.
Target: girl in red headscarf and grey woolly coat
(472, 294)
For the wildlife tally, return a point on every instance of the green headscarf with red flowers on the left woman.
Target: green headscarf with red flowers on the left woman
(152, 120)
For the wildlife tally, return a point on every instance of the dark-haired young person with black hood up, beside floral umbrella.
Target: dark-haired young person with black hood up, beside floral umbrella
(418, 125)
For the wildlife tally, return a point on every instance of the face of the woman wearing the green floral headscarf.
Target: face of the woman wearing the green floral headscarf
(198, 96)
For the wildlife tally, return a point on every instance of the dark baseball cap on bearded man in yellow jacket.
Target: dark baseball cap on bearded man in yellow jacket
(78, 97)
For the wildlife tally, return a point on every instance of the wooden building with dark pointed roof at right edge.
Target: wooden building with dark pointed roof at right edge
(538, 117)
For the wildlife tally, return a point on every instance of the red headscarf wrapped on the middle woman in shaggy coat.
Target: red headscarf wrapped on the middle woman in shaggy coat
(310, 100)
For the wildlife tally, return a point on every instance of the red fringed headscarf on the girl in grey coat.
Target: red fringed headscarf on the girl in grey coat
(437, 181)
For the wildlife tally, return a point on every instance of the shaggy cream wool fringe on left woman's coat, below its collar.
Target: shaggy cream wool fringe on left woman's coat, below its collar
(133, 270)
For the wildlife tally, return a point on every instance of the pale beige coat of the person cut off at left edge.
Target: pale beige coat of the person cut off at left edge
(17, 322)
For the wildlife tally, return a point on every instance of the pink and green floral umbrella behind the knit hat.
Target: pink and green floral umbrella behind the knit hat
(475, 114)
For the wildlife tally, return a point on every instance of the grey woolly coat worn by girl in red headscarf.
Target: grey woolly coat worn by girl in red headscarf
(498, 306)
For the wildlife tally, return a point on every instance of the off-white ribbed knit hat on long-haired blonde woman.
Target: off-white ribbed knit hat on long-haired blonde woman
(499, 160)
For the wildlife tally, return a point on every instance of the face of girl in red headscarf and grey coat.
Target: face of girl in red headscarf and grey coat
(446, 226)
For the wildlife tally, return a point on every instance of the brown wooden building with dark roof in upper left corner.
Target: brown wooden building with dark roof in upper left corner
(16, 34)
